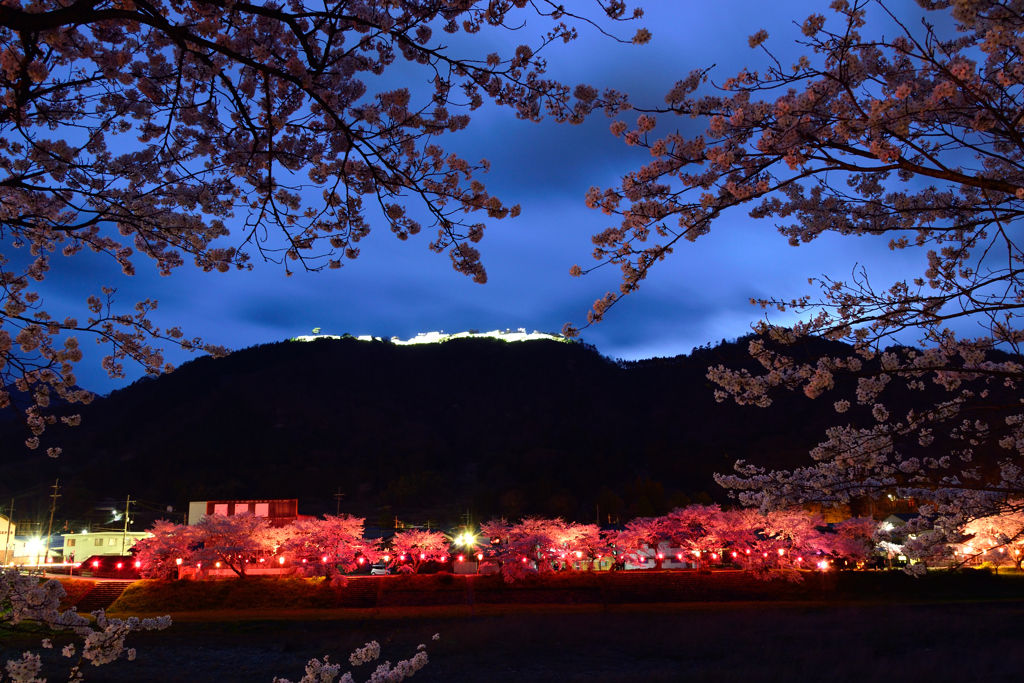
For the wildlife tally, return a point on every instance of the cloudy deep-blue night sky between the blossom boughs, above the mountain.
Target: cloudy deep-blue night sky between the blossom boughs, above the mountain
(700, 295)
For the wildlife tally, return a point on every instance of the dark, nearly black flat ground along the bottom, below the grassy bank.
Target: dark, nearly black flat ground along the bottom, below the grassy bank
(736, 643)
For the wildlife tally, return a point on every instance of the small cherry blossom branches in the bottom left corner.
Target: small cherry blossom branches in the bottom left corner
(29, 607)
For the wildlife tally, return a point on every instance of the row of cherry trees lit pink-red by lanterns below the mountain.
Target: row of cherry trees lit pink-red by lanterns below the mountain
(774, 544)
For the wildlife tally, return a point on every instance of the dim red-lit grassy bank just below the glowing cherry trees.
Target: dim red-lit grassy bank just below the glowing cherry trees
(284, 595)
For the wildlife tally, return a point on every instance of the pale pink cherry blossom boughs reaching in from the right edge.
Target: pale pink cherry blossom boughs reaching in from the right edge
(905, 130)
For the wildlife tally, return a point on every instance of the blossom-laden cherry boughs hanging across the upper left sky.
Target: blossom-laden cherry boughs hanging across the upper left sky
(200, 130)
